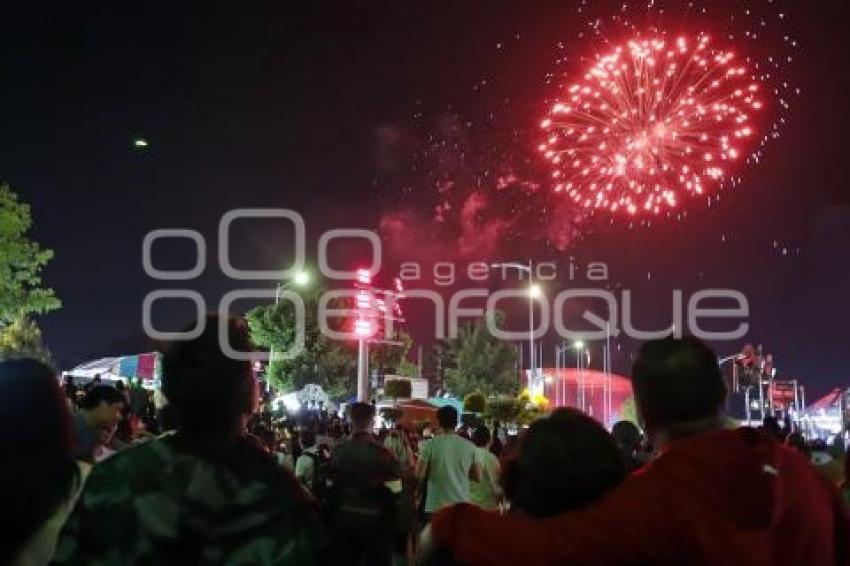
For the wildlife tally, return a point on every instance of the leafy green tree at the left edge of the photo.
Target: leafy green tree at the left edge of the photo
(21, 289)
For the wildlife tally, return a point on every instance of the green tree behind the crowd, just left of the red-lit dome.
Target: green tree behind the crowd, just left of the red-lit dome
(478, 361)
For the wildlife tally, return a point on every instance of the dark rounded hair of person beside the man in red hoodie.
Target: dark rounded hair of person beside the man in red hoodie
(563, 462)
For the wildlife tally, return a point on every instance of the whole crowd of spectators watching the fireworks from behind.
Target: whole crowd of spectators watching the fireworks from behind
(103, 476)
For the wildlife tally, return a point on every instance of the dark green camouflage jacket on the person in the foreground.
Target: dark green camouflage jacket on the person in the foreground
(171, 501)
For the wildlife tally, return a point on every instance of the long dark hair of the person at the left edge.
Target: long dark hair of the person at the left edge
(39, 472)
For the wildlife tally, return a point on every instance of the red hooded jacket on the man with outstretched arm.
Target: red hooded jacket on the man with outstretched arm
(724, 497)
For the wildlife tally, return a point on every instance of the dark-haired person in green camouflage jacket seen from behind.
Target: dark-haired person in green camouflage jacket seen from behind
(205, 494)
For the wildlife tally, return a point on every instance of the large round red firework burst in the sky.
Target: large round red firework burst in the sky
(651, 121)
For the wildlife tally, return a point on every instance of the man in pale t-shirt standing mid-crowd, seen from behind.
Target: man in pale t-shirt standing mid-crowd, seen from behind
(447, 463)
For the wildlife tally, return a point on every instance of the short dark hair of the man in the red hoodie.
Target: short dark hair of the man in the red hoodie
(676, 381)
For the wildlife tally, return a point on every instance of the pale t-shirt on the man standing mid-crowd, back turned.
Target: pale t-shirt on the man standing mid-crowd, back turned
(448, 459)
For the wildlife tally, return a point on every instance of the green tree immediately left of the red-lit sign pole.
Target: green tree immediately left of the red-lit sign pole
(324, 361)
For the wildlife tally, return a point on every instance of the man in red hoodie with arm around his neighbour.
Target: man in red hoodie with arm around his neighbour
(713, 495)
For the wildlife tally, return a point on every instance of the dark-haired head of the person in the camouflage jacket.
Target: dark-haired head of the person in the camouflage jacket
(209, 391)
